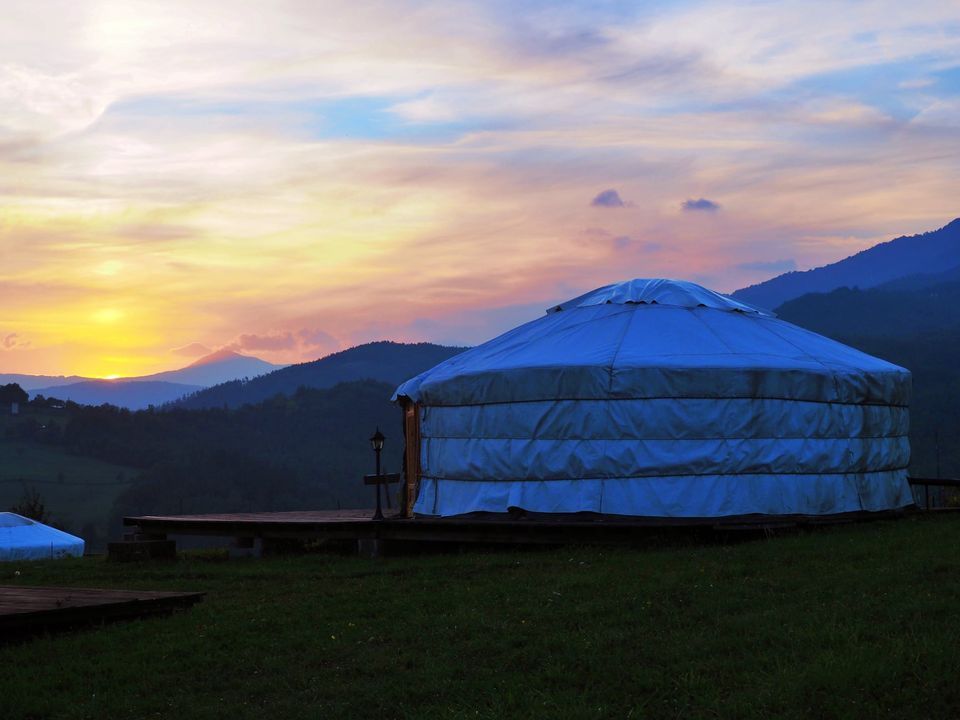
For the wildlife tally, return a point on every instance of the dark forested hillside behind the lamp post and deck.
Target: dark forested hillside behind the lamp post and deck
(308, 450)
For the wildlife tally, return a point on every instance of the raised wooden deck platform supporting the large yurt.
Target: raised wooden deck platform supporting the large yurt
(358, 525)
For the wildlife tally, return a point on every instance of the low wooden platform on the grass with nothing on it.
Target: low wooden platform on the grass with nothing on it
(26, 609)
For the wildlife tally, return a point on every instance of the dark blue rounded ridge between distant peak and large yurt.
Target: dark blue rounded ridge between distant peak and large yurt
(385, 361)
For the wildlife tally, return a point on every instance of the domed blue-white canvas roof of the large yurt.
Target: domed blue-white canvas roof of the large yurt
(658, 338)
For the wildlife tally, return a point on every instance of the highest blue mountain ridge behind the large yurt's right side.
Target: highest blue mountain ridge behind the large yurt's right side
(927, 253)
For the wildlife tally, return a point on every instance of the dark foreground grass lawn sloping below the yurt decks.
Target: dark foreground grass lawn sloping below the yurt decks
(859, 621)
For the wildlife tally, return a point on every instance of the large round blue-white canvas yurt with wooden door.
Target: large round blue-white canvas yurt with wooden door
(663, 399)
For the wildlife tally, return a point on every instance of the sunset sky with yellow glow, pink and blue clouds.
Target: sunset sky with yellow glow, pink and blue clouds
(293, 178)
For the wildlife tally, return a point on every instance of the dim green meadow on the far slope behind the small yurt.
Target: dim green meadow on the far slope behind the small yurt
(85, 496)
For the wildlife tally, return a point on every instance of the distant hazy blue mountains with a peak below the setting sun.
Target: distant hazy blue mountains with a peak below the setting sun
(138, 393)
